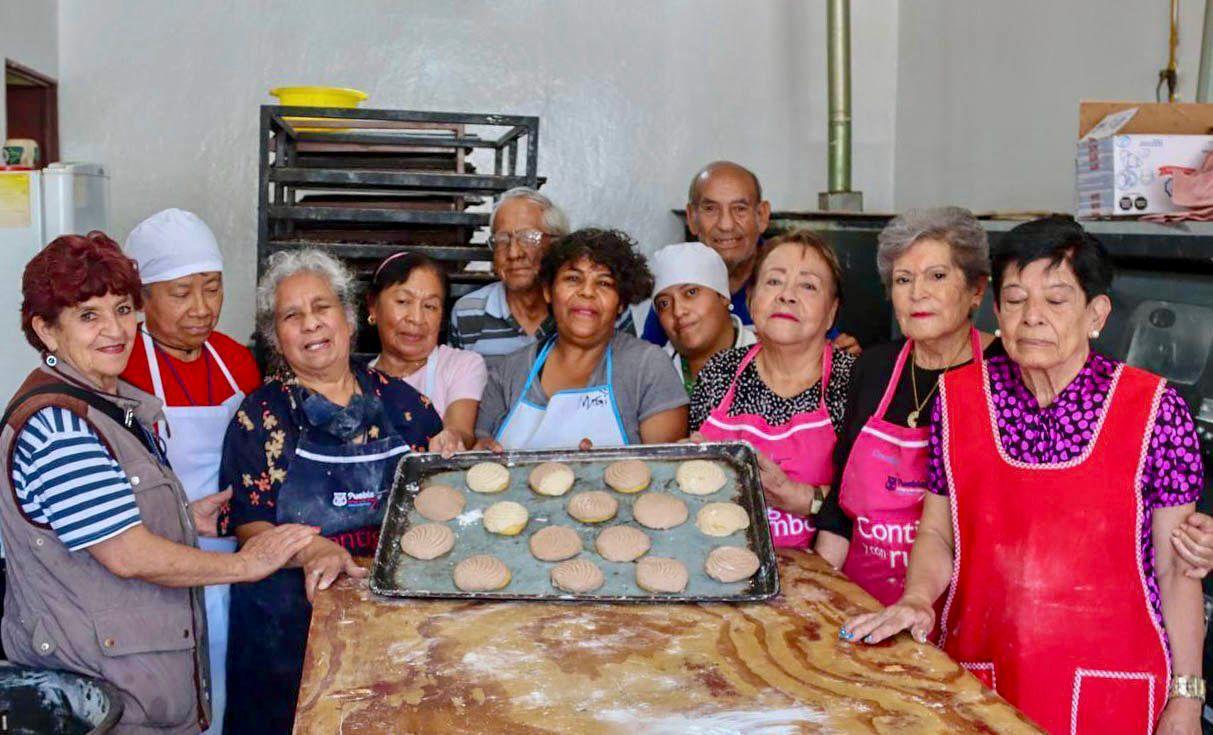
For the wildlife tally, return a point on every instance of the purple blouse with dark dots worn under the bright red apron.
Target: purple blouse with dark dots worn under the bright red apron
(1172, 475)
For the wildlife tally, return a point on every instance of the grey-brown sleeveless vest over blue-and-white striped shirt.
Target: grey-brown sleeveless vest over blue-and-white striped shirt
(65, 611)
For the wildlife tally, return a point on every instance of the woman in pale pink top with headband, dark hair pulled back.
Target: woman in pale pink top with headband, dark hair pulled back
(406, 304)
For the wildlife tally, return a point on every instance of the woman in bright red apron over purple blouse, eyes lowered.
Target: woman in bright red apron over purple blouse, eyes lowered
(1074, 608)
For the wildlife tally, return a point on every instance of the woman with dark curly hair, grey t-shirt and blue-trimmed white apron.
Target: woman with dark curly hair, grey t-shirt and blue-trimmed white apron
(588, 386)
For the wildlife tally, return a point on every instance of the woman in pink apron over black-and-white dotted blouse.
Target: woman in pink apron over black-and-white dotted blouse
(787, 395)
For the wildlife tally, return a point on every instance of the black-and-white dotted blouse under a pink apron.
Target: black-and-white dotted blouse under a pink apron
(754, 397)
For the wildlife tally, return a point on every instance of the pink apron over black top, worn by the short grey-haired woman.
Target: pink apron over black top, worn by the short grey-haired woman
(882, 489)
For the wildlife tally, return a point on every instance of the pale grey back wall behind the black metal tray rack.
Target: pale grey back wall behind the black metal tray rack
(634, 96)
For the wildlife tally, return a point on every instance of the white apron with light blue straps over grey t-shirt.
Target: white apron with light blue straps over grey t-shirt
(571, 417)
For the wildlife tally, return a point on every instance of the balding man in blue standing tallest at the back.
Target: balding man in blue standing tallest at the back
(727, 213)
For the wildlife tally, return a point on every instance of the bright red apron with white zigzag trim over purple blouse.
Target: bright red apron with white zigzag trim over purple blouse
(1049, 602)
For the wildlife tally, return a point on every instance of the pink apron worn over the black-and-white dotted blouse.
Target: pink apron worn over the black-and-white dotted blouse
(804, 448)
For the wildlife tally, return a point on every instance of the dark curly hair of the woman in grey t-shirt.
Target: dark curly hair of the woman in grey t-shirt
(612, 249)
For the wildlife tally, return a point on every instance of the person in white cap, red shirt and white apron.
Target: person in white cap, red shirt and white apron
(200, 374)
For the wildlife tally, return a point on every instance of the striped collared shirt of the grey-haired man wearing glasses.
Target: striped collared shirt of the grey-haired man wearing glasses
(482, 322)
